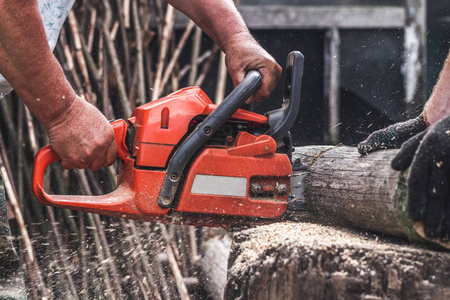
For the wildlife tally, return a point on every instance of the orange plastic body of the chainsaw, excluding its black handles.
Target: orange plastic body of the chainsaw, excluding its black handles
(159, 127)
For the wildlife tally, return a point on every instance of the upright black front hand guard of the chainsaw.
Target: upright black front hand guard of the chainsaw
(282, 119)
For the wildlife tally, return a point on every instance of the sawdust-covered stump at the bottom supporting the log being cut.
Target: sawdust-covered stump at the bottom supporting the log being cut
(309, 261)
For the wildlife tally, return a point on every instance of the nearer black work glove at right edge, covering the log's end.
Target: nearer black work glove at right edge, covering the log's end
(428, 153)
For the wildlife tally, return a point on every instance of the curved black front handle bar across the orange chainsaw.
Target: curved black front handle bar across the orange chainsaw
(202, 133)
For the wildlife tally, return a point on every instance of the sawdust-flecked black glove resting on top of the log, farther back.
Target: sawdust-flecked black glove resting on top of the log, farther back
(392, 136)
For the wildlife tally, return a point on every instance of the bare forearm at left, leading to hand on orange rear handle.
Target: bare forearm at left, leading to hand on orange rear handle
(27, 62)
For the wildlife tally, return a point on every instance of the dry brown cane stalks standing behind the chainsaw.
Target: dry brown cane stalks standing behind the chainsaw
(118, 55)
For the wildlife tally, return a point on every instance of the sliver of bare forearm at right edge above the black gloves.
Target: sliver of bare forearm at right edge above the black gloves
(438, 105)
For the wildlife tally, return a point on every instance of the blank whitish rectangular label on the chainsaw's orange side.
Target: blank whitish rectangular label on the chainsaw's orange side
(219, 185)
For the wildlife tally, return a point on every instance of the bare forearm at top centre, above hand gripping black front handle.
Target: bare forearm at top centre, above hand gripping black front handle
(220, 19)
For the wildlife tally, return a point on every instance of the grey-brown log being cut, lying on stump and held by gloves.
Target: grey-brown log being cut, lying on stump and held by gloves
(344, 188)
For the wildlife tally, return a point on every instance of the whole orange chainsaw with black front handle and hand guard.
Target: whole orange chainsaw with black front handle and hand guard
(184, 160)
